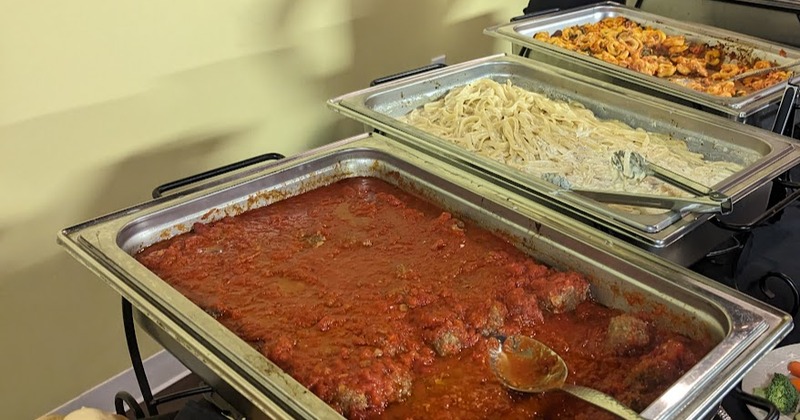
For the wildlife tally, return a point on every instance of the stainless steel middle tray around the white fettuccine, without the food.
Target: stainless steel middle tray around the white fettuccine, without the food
(764, 155)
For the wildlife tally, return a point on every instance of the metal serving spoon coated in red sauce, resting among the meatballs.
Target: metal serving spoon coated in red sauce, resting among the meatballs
(527, 365)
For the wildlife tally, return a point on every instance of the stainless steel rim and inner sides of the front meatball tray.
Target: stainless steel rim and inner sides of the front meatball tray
(744, 328)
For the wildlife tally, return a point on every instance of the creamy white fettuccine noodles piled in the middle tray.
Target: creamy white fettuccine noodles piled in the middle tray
(537, 135)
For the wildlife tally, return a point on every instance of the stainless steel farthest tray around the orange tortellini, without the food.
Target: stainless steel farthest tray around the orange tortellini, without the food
(757, 108)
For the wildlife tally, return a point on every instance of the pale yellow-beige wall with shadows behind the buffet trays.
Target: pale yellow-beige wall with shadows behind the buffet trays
(100, 101)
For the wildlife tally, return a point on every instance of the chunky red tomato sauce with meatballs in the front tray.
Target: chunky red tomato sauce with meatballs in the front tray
(384, 306)
